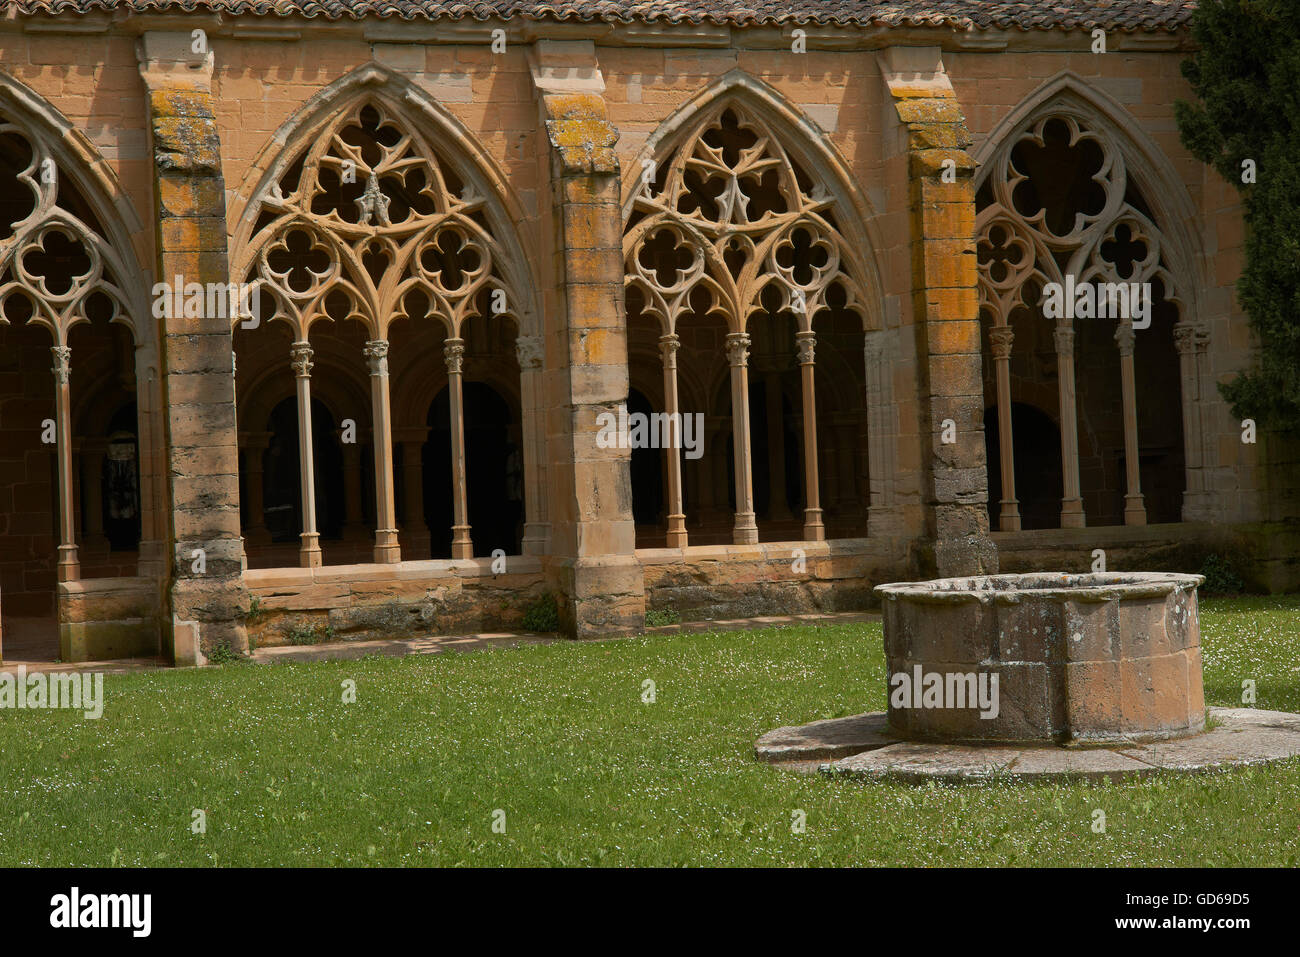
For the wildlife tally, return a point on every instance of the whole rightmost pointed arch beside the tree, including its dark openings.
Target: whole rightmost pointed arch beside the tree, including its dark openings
(1072, 196)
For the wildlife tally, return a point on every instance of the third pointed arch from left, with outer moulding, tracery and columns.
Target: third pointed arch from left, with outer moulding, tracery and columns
(740, 209)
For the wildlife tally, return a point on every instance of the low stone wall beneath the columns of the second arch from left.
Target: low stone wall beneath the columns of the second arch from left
(384, 601)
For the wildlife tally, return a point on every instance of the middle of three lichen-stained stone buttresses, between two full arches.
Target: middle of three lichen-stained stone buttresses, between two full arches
(593, 538)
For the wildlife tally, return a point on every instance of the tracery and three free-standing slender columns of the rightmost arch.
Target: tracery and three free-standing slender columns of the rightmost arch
(1061, 213)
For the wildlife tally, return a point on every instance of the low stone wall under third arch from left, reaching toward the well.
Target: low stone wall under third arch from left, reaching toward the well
(727, 582)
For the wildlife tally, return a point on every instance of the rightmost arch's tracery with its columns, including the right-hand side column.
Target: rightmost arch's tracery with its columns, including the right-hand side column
(1059, 205)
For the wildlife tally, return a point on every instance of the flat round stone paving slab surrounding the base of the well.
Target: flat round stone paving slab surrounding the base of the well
(1241, 738)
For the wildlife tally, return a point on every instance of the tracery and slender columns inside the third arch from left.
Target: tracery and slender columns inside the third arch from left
(730, 224)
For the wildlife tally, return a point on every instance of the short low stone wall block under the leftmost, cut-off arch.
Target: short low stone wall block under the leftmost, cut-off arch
(109, 618)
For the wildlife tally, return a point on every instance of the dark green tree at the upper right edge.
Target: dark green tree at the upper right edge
(1246, 73)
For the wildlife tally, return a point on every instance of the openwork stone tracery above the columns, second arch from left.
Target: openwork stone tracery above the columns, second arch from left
(393, 224)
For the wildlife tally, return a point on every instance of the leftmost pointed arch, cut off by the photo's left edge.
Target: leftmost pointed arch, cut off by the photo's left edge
(72, 270)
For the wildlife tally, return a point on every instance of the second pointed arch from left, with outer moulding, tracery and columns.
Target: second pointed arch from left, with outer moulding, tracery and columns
(375, 205)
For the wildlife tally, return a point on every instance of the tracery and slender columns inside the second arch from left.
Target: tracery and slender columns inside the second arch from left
(370, 222)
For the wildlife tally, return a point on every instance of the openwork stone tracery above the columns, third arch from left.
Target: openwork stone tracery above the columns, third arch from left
(733, 215)
